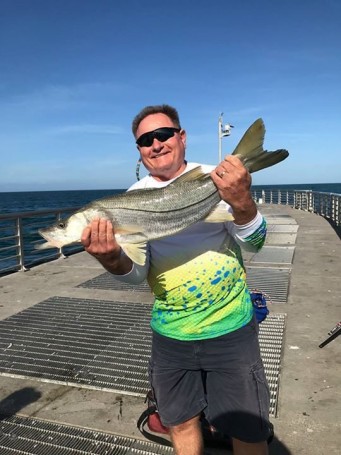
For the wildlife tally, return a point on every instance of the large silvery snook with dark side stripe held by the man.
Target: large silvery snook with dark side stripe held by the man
(139, 216)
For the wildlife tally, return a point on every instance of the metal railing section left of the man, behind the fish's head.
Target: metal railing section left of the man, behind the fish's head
(19, 235)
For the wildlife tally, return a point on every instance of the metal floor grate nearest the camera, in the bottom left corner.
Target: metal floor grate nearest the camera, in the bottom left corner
(23, 436)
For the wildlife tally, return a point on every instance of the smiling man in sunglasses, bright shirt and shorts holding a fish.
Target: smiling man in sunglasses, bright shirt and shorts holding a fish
(205, 351)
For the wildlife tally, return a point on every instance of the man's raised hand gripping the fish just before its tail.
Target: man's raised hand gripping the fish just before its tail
(234, 182)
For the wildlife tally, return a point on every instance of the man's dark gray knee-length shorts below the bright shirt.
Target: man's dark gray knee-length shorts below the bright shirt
(222, 377)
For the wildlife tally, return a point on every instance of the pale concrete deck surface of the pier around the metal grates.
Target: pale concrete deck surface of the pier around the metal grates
(308, 418)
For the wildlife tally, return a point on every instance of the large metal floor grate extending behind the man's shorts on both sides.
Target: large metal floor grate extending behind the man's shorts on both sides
(100, 345)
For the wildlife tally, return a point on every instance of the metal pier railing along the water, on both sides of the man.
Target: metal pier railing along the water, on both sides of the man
(19, 231)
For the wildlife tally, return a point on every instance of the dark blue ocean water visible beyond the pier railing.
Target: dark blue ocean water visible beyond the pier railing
(30, 201)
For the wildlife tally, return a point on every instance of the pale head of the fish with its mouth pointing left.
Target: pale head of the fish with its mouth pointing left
(64, 232)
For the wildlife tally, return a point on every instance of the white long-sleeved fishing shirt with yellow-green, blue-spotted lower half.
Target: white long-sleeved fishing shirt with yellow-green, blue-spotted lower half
(198, 277)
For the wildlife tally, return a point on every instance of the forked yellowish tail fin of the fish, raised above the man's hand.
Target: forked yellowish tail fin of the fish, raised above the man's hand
(250, 149)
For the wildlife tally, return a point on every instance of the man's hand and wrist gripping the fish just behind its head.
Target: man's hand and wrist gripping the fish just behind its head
(99, 240)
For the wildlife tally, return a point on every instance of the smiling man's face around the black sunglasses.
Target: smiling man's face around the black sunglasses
(164, 160)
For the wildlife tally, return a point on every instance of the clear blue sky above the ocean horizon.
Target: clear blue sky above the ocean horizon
(73, 74)
